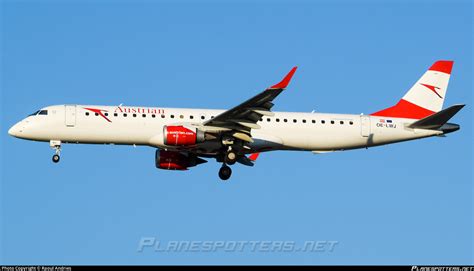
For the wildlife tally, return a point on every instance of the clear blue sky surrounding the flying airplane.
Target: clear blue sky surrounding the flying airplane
(401, 204)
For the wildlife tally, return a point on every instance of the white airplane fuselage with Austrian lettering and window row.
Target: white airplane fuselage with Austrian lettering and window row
(144, 126)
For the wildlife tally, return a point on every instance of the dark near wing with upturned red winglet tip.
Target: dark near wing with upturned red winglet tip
(244, 117)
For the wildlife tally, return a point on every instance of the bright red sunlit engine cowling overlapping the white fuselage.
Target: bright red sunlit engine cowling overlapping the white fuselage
(181, 136)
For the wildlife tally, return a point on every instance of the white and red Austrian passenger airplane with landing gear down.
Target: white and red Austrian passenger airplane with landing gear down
(184, 137)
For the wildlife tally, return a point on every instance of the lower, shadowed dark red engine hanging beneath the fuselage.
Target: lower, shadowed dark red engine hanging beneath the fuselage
(175, 160)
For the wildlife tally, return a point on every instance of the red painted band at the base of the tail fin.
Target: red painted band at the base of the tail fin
(404, 109)
